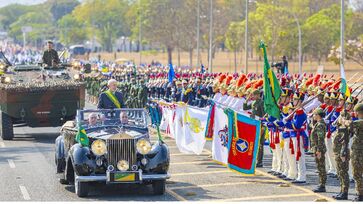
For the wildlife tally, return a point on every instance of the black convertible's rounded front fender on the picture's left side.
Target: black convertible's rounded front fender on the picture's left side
(81, 159)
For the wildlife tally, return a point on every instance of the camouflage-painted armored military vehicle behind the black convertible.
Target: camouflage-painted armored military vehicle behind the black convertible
(36, 96)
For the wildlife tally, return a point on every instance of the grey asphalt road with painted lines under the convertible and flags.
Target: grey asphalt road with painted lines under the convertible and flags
(27, 172)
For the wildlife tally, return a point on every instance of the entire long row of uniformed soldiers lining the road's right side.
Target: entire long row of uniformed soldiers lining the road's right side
(315, 118)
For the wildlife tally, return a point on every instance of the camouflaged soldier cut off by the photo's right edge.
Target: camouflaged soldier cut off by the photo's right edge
(357, 153)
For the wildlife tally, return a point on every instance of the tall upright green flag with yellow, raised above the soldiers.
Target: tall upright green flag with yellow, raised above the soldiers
(271, 87)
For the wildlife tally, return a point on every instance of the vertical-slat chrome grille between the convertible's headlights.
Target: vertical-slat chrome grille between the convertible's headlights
(121, 149)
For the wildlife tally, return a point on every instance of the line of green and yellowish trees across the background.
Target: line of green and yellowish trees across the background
(172, 24)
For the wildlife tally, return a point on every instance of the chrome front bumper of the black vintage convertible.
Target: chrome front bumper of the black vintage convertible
(143, 177)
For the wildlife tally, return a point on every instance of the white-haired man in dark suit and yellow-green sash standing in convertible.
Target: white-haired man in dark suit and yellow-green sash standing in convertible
(111, 98)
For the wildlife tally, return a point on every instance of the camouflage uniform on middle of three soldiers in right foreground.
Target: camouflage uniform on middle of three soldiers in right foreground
(340, 149)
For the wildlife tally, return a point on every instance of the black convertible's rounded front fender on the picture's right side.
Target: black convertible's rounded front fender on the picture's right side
(158, 159)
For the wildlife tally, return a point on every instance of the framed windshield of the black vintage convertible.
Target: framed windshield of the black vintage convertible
(88, 119)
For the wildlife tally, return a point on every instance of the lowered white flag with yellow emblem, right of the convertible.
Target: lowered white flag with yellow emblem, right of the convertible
(195, 120)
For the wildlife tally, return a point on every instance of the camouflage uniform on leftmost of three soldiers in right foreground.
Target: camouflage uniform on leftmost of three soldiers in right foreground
(318, 145)
